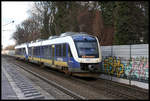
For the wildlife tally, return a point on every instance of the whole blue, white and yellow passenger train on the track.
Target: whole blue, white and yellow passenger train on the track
(74, 53)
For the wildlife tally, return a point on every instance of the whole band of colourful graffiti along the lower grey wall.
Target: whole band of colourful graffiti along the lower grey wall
(135, 68)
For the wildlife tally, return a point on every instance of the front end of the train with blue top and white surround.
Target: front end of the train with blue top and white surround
(88, 59)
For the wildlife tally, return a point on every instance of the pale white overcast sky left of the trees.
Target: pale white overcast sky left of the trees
(12, 11)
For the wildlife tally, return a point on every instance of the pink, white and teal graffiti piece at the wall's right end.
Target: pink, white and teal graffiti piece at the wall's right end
(137, 68)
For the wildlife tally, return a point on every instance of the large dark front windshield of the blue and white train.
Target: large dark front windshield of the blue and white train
(87, 49)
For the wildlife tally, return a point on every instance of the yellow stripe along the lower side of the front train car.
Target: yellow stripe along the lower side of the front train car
(58, 63)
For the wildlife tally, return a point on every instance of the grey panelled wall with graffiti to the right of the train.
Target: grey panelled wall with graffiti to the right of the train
(126, 61)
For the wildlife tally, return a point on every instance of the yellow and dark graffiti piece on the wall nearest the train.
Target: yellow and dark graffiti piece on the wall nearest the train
(113, 66)
